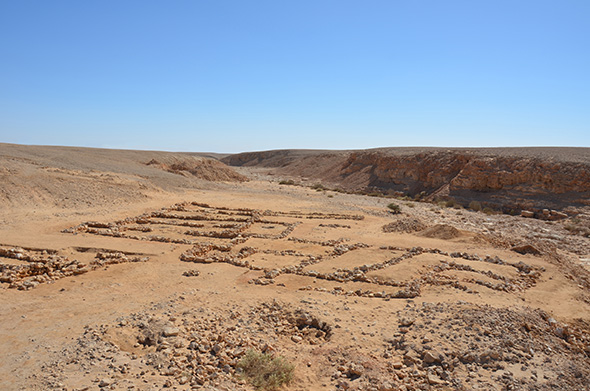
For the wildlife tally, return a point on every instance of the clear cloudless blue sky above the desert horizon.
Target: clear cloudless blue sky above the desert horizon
(230, 76)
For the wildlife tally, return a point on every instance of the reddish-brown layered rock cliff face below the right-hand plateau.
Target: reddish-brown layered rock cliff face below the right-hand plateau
(509, 182)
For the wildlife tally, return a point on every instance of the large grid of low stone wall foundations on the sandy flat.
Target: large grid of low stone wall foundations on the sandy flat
(221, 235)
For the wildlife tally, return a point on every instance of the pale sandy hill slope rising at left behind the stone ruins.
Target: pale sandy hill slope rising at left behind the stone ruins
(68, 176)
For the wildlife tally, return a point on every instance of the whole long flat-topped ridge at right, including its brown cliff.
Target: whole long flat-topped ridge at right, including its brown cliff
(508, 179)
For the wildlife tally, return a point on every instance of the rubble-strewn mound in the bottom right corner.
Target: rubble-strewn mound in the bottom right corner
(481, 347)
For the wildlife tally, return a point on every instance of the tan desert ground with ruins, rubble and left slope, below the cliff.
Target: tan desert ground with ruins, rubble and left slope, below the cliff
(129, 270)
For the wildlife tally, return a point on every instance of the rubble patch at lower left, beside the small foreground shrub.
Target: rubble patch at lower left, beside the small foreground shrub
(197, 348)
